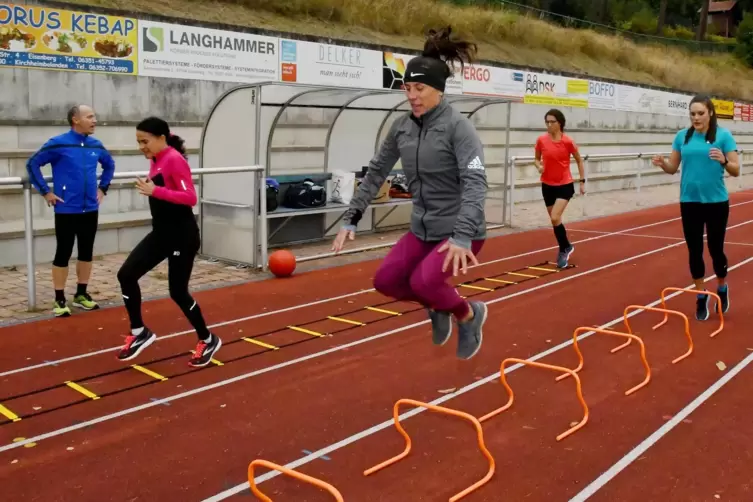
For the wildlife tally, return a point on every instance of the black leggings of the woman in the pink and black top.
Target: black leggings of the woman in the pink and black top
(180, 258)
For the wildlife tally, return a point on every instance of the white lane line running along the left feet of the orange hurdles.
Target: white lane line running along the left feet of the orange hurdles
(388, 423)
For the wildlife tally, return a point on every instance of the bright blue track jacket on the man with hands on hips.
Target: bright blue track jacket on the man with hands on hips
(74, 158)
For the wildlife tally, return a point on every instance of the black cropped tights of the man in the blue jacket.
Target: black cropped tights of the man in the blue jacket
(70, 227)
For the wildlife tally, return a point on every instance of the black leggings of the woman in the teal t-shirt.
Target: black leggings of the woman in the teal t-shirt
(712, 216)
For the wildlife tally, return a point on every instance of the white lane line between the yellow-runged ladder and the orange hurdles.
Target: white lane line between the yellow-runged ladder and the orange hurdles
(315, 355)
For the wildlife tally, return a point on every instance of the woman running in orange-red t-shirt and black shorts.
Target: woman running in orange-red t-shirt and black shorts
(555, 149)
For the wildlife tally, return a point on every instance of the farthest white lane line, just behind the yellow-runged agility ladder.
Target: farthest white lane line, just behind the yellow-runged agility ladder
(325, 300)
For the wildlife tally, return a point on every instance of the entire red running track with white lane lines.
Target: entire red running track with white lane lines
(196, 442)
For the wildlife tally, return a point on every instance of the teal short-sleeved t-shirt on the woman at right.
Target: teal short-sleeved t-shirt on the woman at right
(701, 177)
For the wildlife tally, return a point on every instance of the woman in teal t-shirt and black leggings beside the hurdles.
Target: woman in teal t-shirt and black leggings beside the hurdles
(706, 150)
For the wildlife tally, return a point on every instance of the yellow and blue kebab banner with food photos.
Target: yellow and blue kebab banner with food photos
(55, 39)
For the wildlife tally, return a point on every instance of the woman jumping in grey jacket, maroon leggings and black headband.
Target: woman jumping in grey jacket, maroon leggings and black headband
(443, 161)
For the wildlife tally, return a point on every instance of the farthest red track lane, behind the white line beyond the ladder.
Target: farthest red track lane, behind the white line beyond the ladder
(255, 299)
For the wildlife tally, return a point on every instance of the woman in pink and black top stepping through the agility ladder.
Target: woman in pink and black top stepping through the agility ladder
(174, 236)
